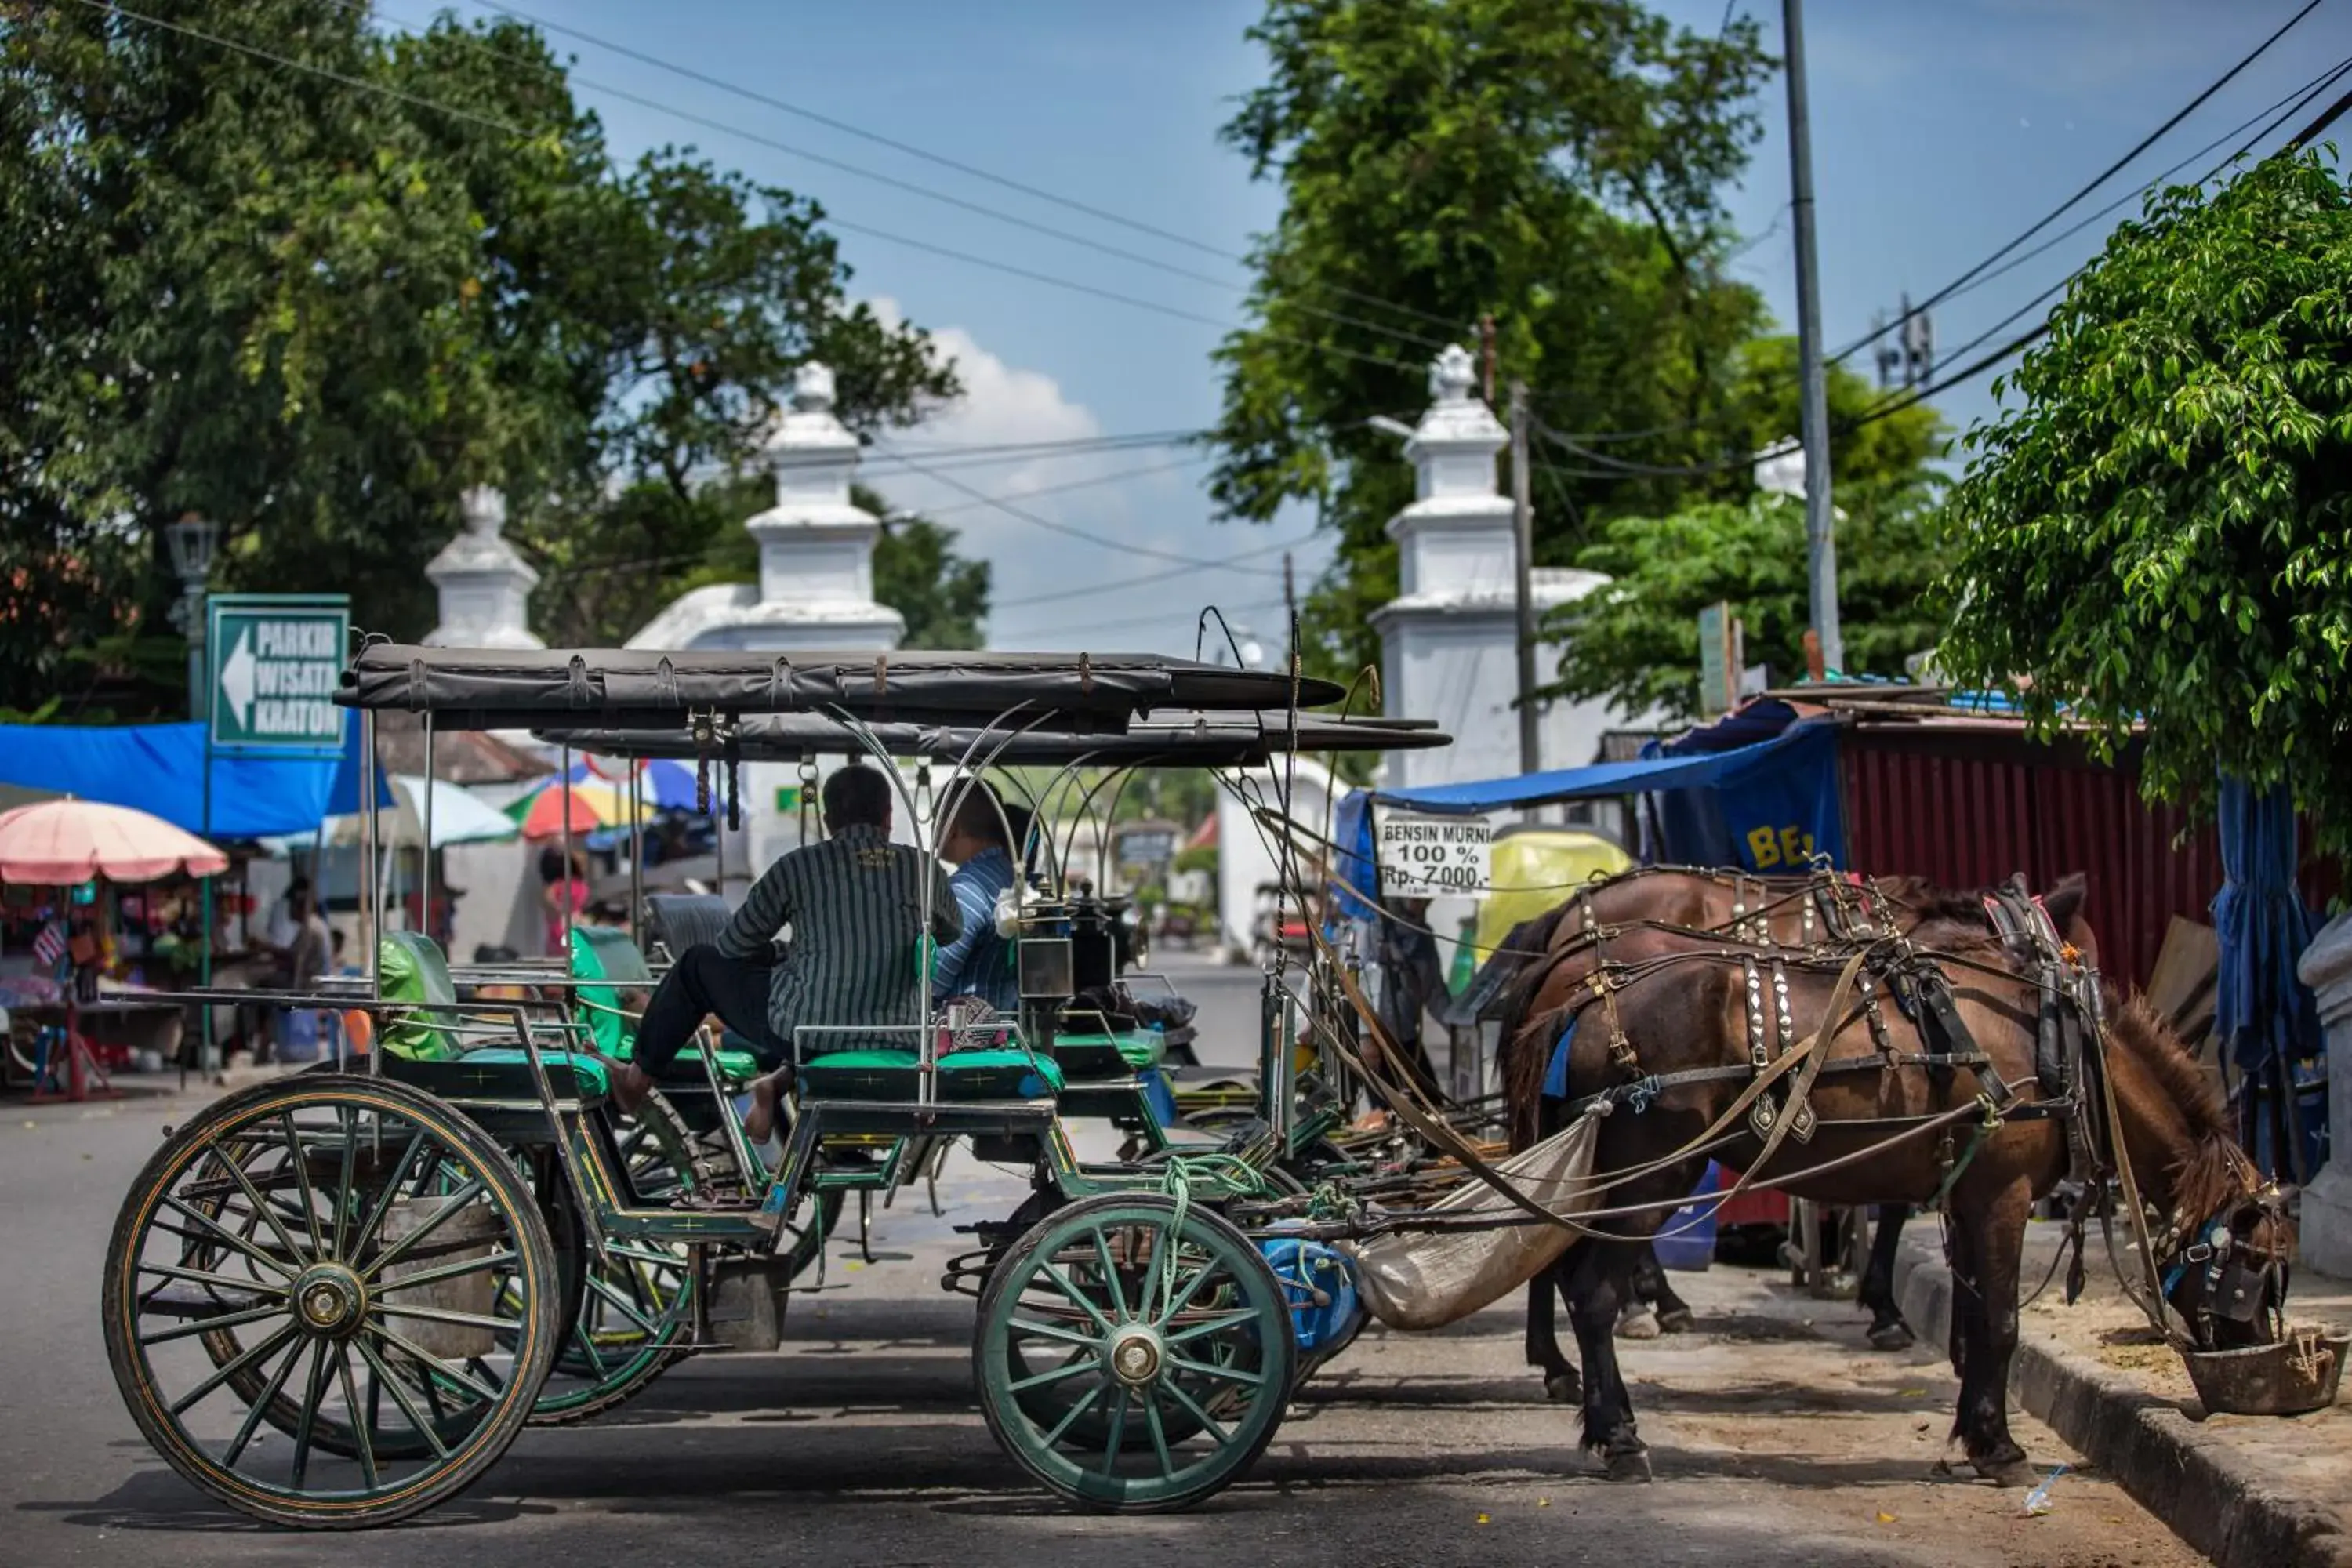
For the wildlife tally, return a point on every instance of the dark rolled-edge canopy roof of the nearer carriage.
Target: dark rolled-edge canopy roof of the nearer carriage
(650, 690)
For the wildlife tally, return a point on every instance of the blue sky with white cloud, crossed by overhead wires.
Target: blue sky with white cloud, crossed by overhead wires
(1942, 128)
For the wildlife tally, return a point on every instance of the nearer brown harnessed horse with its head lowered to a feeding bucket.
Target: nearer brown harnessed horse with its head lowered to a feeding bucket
(1904, 1115)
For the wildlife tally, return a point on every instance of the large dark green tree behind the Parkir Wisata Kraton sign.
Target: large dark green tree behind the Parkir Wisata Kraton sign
(316, 314)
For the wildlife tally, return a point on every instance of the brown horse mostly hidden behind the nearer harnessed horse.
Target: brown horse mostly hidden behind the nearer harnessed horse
(1786, 911)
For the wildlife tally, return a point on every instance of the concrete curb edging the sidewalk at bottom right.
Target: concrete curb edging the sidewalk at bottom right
(2193, 1480)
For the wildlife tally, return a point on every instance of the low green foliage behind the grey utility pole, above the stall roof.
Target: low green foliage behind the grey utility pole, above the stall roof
(1638, 638)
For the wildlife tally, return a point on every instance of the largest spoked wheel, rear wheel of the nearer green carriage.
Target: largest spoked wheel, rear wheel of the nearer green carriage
(302, 1301)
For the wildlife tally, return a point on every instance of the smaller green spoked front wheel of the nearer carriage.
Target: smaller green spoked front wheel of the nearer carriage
(1132, 1358)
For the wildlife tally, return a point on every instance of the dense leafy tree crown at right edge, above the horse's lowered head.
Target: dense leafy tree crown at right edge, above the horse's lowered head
(2158, 530)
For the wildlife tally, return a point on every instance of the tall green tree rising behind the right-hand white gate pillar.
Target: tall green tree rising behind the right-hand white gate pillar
(1551, 163)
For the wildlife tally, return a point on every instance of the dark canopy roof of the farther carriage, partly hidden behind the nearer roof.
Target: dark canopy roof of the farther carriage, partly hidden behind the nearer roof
(1158, 739)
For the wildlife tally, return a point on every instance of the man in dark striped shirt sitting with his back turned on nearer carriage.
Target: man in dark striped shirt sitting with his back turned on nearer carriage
(855, 906)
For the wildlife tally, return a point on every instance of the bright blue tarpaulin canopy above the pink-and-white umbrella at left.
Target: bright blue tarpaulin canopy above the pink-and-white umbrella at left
(161, 770)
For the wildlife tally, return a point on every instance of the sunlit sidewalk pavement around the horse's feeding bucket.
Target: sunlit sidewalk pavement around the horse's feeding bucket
(2250, 1492)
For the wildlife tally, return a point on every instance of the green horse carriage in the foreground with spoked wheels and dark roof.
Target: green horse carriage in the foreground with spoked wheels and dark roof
(335, 1299)
